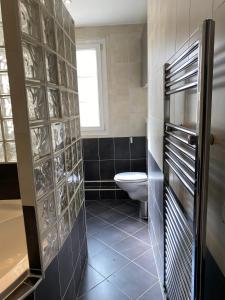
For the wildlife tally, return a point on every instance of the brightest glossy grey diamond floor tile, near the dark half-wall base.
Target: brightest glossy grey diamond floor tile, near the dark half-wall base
(107, 262)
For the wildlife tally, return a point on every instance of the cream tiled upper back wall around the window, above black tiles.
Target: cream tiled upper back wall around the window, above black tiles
(127, 99)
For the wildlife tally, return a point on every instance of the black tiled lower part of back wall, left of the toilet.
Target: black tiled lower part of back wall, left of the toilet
(105, 157)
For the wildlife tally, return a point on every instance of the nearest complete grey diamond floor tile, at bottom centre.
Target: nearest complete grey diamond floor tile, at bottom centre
(132, 280)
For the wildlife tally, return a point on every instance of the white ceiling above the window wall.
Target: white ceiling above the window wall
(108, 12)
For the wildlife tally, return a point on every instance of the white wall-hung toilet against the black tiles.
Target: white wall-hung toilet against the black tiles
(136, 185)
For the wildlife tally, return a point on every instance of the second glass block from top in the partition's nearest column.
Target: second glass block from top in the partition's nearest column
(33, 61)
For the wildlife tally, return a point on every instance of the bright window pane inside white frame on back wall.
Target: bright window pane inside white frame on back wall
(88, 87)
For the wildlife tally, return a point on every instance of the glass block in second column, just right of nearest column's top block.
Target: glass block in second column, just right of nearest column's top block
(48, 30)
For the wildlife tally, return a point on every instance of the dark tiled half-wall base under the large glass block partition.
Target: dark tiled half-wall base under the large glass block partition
(63, 275)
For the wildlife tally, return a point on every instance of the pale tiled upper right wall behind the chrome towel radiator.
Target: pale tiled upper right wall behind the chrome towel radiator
(170, 23)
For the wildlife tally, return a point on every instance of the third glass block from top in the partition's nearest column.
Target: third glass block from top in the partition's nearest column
(36, 103)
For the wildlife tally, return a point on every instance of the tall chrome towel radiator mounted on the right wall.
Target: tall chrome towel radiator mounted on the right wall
(185, 164)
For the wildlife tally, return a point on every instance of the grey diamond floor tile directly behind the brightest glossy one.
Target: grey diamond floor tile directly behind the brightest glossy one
(110, 235)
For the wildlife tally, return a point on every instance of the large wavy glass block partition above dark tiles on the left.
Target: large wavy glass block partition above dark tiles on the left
(47, 43)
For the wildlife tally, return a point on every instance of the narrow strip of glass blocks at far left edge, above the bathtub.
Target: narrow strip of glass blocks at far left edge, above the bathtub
(7, 140)
